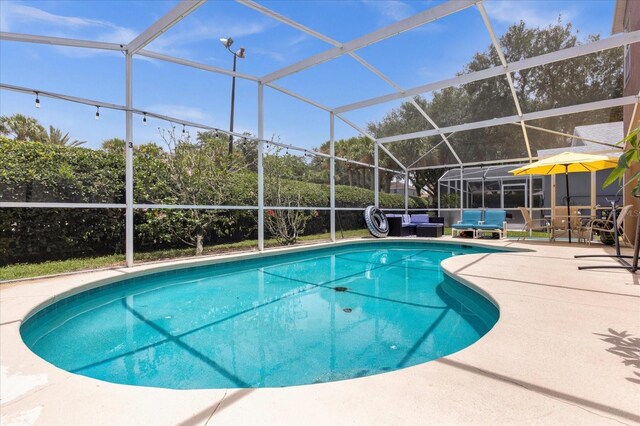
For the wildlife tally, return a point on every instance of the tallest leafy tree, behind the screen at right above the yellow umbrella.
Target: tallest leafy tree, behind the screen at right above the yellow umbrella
(584, 79)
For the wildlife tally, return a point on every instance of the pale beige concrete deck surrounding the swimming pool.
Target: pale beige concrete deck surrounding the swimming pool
(566, 350)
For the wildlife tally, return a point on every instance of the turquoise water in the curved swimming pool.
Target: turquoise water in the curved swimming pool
(302, 318)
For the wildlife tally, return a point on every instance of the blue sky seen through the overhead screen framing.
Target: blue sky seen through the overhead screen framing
(429, 53)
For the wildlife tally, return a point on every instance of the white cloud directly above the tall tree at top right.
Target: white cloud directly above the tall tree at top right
(534, 13)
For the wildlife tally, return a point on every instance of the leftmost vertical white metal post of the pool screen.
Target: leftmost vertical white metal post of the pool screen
(129, 160)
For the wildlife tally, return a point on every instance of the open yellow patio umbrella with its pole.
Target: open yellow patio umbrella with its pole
(567, 162)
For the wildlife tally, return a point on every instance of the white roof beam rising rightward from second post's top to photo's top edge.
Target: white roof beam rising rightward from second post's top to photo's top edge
(407, 24)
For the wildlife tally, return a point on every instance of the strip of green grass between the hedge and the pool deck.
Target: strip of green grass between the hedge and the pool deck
(30, 270)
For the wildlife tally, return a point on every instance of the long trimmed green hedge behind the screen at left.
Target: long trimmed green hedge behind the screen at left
(39, 172)
